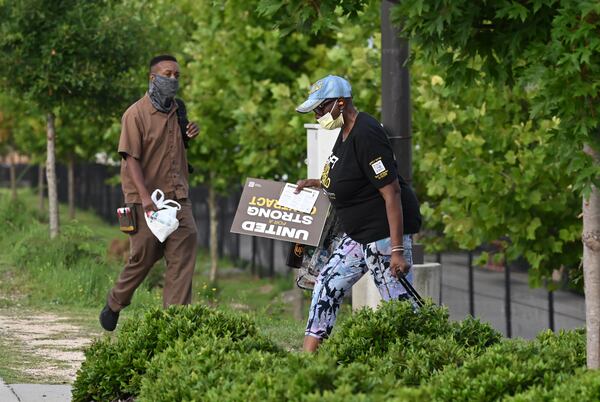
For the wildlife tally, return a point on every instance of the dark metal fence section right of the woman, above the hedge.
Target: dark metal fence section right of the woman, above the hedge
(502, 296)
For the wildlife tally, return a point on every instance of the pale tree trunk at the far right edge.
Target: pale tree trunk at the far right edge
(591, 269)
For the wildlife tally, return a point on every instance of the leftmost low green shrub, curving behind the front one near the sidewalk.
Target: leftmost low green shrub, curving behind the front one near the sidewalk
(114, 367)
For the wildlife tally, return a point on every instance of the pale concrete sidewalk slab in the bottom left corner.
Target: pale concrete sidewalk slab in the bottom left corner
(34, 392)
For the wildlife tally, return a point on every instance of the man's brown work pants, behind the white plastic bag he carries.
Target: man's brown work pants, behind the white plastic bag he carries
(179, 250)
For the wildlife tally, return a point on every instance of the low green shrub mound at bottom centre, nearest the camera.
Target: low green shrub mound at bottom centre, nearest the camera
(221, 370)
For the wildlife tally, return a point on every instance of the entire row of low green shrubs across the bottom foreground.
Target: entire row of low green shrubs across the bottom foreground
(391, 354)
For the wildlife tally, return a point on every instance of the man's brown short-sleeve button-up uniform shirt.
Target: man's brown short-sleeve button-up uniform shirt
(153, 138)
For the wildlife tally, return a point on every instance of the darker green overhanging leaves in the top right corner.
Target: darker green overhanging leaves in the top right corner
(539, 47)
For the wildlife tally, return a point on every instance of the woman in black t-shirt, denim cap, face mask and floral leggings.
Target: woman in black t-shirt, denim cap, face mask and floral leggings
(376, 208)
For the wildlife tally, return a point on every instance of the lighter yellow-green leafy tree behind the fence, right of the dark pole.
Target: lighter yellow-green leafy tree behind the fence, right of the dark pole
(491, 172)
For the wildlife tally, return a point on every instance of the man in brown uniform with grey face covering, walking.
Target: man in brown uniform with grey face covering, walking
(153, 157)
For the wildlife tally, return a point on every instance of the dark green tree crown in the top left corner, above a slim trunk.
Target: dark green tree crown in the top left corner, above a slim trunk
(70, 52)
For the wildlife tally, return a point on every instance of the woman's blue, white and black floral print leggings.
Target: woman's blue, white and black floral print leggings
(348, 263)
